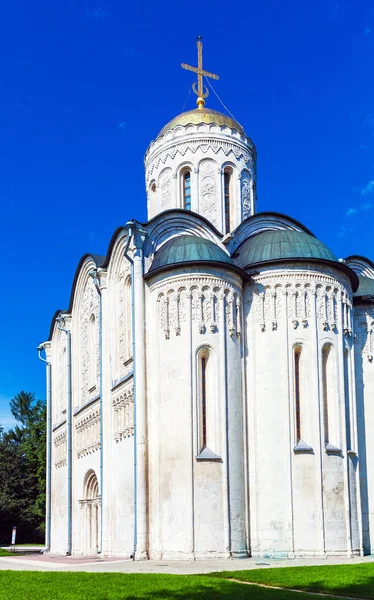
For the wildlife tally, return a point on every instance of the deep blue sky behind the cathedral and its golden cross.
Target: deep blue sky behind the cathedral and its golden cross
(86, 85)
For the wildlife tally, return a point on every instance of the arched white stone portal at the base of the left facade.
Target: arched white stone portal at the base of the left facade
(90, 515)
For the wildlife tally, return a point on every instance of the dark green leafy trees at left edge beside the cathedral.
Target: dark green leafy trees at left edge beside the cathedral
(22, 470)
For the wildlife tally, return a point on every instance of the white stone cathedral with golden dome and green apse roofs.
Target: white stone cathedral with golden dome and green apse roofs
(211, 384)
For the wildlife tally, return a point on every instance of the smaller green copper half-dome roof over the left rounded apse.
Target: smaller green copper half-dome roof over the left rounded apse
(188, 248)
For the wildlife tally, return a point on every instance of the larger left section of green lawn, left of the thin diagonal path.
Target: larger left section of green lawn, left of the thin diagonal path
(32, 585)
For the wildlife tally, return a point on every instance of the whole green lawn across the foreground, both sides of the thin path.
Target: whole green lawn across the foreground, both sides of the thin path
(343, 580)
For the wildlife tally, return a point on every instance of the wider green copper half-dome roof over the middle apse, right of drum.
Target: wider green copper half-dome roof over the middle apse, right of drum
(281, 244)
